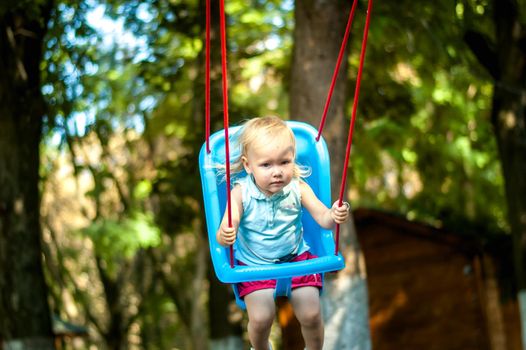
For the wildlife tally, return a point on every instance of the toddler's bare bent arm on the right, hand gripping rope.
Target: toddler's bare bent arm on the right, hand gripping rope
(324, 216)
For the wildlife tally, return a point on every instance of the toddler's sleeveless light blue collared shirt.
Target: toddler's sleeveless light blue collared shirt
(271, 226)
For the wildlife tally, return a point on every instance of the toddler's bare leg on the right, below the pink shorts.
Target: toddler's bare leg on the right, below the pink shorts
(306, 304)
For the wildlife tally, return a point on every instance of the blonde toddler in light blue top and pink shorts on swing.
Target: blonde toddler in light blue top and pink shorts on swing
(266, 218)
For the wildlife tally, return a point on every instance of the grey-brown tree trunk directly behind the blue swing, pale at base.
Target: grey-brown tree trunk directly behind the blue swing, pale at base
(320, 26)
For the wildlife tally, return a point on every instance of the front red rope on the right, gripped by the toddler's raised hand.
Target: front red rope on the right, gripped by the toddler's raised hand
(353, 117)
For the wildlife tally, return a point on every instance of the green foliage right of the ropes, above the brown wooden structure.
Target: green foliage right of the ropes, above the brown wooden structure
(424, 144)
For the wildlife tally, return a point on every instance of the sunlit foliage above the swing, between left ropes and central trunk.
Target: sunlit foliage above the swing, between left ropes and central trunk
(260, 41)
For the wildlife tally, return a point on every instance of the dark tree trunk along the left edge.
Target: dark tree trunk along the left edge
(24, 312)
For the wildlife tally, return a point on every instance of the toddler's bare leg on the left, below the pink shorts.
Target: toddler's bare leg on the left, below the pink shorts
(261, 311)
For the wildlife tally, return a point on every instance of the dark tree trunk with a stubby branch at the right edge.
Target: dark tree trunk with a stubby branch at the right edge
(507, 66)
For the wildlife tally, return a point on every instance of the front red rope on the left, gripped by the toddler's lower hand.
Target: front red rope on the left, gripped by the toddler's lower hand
(225, 119)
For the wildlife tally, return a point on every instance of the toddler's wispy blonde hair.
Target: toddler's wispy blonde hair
(267, 130)
